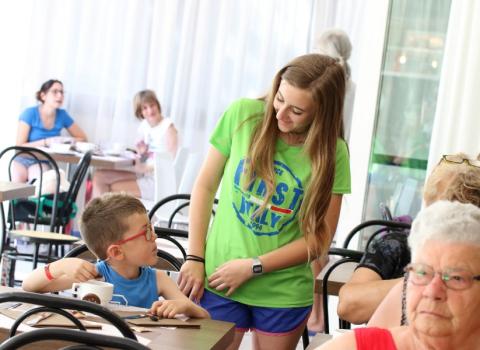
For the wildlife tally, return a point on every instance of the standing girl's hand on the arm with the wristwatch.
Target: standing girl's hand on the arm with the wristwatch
(231, 275)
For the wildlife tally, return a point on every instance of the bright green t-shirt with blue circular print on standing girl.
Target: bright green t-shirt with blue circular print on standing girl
(235, 234)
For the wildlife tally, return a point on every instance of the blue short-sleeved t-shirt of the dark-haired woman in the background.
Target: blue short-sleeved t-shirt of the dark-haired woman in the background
(31, 116)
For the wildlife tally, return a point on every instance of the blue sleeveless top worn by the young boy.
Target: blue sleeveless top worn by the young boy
(141, 291)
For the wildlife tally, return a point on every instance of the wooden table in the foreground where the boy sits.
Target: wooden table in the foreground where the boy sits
(211, 335)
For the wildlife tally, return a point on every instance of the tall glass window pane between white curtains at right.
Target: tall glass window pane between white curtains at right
(406, 105)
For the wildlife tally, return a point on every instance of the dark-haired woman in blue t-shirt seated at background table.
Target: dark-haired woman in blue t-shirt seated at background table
(41, 126)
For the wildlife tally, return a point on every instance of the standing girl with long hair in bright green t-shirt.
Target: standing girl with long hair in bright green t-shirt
(284, 168)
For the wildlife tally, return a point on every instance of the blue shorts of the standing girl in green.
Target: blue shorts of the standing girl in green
(275, 320)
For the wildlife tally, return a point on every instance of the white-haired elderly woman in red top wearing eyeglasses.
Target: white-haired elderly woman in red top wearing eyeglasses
(443, 286)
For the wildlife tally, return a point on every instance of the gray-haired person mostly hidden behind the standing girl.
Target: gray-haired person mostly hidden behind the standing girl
(335, 43)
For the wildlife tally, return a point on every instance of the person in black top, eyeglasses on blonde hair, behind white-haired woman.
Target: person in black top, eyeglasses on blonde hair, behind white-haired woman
(455, 178)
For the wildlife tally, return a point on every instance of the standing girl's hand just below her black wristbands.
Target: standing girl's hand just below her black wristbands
(191, 279)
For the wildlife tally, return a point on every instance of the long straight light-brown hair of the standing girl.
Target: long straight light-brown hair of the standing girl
(324, 78)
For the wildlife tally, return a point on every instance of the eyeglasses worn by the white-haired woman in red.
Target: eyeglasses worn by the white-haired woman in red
(456, 279)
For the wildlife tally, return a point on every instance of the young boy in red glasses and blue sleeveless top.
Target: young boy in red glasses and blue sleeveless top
(116, 229)
